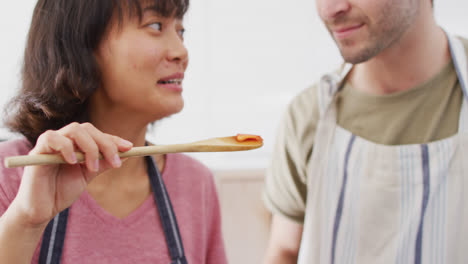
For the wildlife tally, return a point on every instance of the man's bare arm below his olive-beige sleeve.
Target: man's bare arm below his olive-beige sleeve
(285, 239)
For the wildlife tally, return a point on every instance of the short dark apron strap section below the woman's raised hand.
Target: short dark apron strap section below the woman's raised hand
(53, 239)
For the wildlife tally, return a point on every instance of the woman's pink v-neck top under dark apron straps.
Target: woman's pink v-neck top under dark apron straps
(95, 236)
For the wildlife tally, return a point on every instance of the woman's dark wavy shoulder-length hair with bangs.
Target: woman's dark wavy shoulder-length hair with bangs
(60, 71)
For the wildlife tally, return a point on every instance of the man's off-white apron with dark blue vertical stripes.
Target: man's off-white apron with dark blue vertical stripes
(369, 203)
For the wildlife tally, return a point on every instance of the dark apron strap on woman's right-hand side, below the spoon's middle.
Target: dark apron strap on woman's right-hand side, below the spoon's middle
(166, 214)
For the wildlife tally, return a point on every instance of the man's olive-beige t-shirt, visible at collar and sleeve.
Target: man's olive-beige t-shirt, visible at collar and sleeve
(425, 113)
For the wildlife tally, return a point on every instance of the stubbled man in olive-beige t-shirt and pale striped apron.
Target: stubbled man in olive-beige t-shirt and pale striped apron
(370, 163)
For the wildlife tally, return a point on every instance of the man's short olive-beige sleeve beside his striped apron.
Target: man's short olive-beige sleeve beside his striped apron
(285, 189)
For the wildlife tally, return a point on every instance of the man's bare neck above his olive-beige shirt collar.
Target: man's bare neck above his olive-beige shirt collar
(420, 54)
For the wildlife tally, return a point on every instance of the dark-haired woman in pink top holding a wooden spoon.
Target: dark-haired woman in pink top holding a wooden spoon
(96, 73)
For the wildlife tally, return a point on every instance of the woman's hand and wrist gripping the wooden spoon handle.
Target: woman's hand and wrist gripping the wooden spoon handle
(47, 190)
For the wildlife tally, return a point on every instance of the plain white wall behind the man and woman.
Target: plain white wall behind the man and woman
(248, 59)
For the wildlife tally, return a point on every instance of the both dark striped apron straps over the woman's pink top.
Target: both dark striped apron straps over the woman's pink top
(54, 234)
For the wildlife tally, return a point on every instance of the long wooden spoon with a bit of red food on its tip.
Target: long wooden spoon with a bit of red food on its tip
(209, 145)
